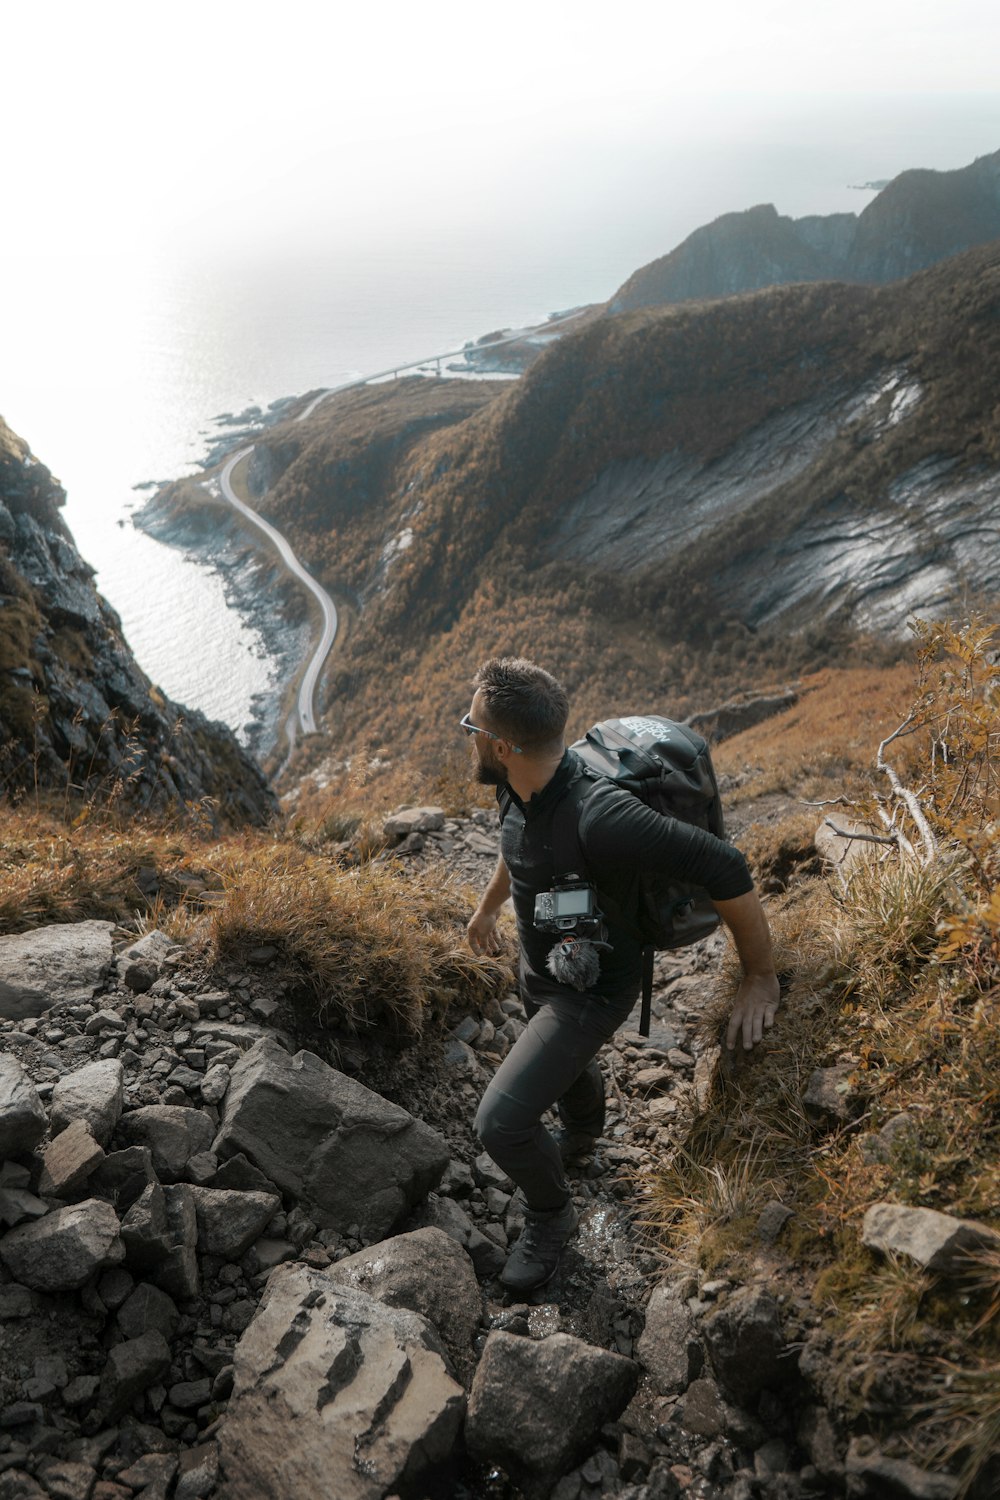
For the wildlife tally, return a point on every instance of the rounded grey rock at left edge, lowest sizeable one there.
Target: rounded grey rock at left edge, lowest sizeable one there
(62, 1252)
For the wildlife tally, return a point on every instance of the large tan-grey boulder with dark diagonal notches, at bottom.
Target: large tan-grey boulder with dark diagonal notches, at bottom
(335, 1394)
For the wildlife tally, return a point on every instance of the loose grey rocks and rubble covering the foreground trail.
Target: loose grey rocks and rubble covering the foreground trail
(232, 1268)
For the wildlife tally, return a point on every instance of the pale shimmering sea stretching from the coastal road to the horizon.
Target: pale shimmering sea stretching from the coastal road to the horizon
(113, 370)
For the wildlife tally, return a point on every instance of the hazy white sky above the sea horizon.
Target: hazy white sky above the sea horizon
(212, 121)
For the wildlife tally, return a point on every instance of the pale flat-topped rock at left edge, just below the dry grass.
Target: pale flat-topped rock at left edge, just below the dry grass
(53, 965)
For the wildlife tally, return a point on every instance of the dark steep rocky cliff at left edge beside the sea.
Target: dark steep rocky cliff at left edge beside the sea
(76, 710)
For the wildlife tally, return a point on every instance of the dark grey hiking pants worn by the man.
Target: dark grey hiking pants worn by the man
(552, 1063)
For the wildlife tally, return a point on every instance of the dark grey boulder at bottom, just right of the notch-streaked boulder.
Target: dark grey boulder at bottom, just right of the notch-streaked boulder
(537, 1408)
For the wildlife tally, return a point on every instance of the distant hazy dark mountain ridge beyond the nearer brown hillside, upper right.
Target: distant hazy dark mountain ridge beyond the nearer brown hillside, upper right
(917, 221)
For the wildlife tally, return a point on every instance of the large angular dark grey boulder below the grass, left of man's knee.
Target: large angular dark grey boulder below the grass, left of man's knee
(347, 1154)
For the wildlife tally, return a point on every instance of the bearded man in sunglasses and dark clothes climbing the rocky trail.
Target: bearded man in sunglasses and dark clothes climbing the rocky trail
(518, 725)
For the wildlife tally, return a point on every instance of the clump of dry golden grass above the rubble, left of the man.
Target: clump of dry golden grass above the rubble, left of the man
(371, 949)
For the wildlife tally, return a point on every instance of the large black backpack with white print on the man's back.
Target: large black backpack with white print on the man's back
(669, 769)
